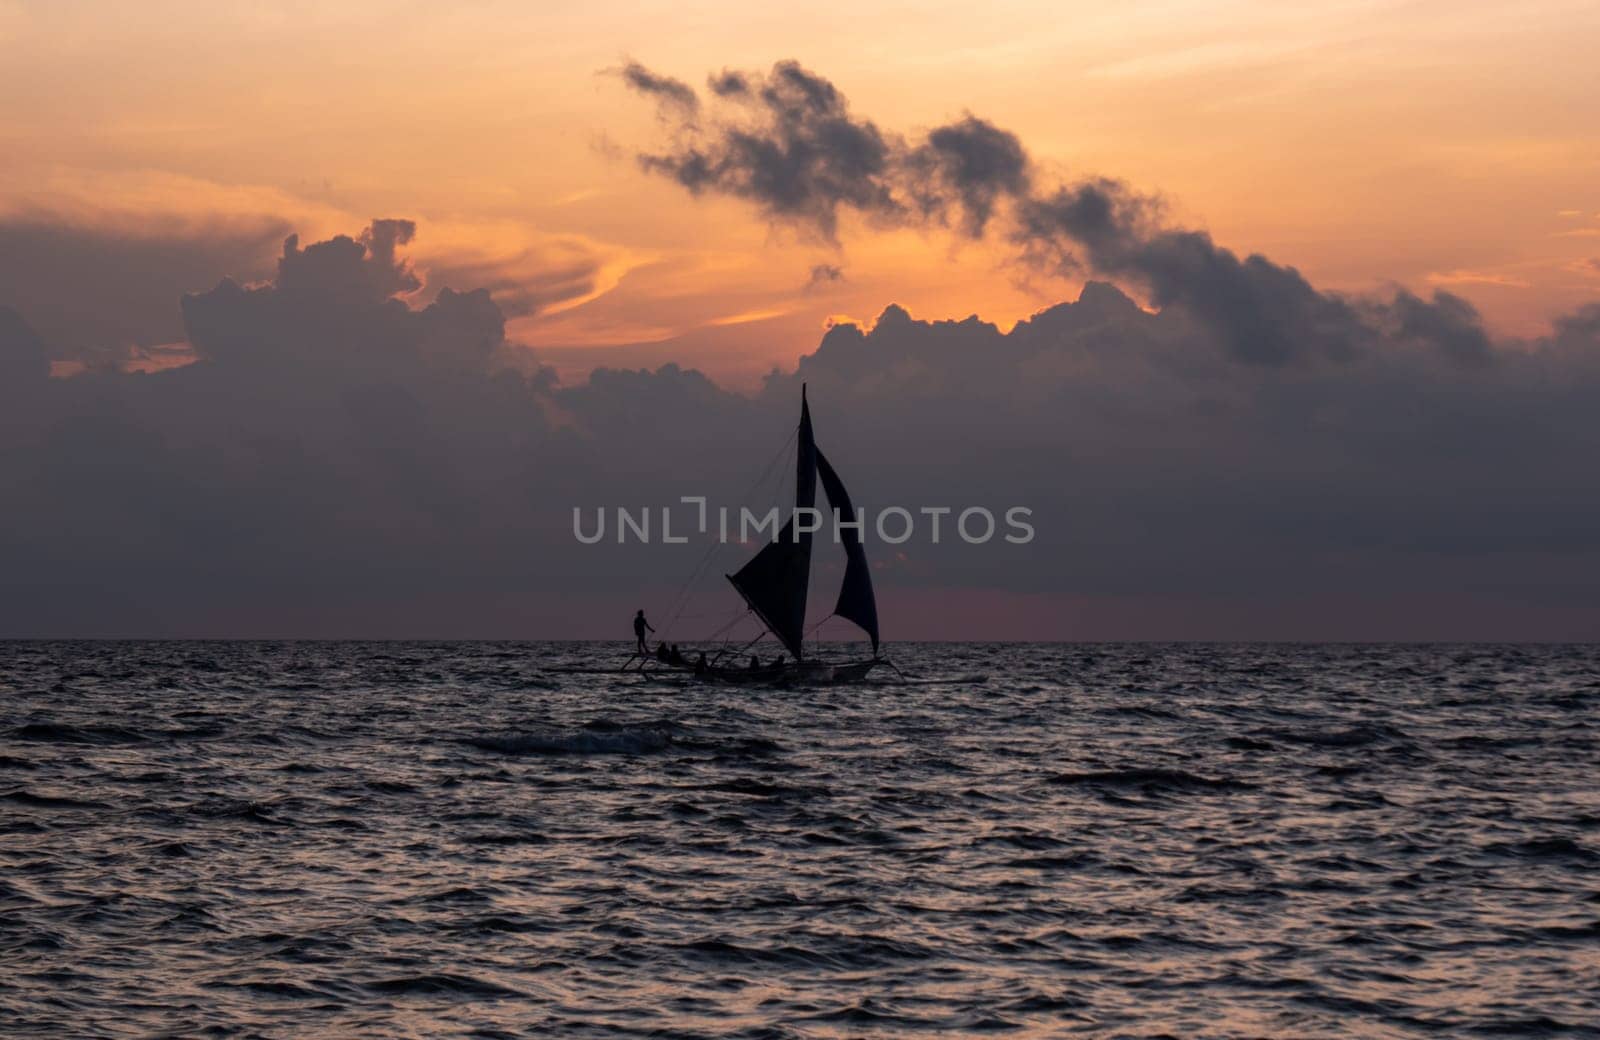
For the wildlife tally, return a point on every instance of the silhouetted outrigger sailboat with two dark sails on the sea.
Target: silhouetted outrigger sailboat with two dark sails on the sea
(775, 582)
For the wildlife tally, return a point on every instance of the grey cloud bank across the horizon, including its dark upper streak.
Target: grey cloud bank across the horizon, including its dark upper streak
(1247, 457)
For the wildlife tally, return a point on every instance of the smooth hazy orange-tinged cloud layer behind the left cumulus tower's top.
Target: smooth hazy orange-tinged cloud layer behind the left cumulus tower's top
(98, 263)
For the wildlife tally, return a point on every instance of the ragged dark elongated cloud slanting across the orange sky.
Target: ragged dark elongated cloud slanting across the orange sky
(801, 156)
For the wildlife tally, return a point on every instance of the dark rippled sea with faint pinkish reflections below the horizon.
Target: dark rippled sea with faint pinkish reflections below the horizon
(426, 841)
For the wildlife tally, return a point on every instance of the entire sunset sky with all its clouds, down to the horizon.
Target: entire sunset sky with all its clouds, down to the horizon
(1346, 252)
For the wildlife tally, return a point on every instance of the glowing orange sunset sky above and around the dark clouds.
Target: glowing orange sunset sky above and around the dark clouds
(1433, 145)
